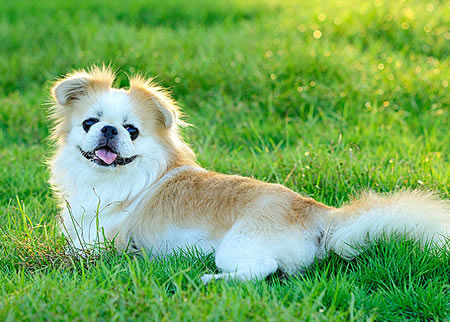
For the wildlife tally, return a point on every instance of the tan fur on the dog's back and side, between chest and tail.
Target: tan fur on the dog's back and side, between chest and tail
(216, 201)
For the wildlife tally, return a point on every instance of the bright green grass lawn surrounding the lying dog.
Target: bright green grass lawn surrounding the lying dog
(325, 97)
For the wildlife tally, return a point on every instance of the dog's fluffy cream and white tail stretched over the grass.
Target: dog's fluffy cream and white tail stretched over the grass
(417, 214)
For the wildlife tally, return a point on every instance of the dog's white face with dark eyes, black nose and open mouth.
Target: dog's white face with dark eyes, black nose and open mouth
(106, 130)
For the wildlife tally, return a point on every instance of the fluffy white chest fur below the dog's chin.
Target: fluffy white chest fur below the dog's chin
(95, 201)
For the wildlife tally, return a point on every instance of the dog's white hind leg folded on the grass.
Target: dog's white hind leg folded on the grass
(252, 251)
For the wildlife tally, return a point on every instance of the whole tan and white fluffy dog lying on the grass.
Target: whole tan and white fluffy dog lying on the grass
(123, 173)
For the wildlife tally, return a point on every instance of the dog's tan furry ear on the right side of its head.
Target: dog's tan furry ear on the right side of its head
(157, 98)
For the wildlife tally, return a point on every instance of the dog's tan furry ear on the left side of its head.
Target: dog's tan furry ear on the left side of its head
(81, 83)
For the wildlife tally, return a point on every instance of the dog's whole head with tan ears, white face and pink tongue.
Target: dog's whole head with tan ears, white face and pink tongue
(107, 128)
